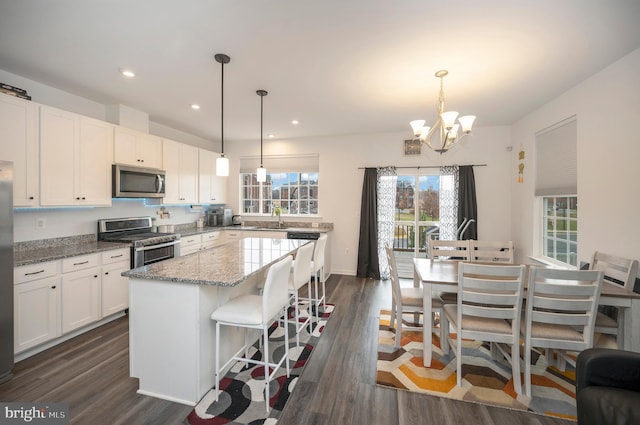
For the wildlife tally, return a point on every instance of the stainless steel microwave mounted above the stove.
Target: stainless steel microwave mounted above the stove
(137, 182)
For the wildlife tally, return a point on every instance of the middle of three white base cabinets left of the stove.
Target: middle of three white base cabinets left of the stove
(80, 291)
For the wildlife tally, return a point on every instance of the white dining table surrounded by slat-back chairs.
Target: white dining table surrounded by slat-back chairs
(437, 276)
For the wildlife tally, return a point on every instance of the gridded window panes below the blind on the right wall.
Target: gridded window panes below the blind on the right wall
(560, 229)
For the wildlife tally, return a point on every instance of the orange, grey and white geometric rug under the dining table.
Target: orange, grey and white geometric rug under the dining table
(483, 379)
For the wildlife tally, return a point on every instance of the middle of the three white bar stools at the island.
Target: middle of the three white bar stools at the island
(301, 274)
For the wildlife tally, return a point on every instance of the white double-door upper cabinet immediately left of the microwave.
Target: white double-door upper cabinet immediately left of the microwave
(75, 159)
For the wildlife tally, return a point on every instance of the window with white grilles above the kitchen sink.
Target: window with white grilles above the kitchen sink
(296, 193)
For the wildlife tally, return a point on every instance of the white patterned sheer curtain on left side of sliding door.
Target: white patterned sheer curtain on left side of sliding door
(387, 180)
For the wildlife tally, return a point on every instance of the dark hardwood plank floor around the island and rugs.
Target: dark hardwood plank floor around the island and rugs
(91, 374)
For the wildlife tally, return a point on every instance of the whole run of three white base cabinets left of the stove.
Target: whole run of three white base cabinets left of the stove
(54, 298)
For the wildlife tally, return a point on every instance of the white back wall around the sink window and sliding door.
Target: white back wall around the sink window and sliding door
(341, 179)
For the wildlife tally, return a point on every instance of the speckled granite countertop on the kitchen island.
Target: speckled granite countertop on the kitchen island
(226, 265)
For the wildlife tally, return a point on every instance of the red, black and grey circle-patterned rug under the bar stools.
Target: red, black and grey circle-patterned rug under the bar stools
(241, 399)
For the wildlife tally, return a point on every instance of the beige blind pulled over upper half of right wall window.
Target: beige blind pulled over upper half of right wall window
(556, 165)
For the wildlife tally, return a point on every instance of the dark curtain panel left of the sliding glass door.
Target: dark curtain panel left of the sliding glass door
(368, 265)
